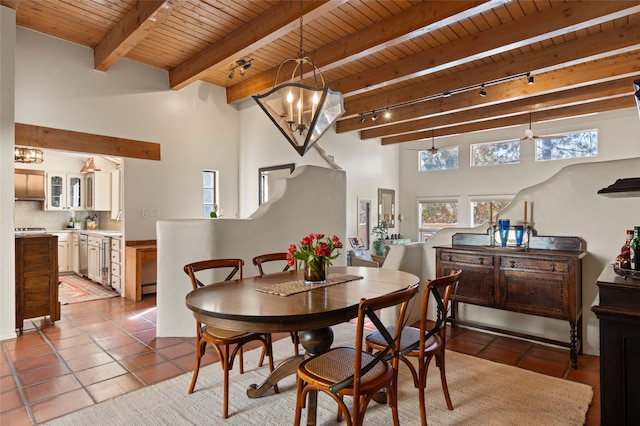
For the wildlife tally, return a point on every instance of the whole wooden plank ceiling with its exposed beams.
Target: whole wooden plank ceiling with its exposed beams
(423, 61)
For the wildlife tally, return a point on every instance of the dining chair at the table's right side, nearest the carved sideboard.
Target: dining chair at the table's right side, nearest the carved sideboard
(427, 341)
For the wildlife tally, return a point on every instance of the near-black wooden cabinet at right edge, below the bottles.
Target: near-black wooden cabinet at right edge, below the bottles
(618, 310)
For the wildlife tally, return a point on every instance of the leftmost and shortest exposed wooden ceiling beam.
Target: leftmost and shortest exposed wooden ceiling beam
(134, 27)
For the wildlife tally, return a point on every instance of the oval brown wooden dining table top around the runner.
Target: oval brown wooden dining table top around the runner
(237, 305)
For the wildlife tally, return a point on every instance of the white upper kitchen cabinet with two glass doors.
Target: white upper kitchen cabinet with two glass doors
(65, 191)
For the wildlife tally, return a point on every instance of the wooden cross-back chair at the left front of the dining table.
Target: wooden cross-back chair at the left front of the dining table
(227, 344)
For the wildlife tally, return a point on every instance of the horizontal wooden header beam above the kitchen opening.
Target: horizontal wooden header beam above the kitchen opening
(67, 140)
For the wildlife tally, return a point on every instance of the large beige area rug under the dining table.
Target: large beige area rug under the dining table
(483, 393)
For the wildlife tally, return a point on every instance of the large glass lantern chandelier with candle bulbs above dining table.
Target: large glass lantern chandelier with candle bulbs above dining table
(302, 113)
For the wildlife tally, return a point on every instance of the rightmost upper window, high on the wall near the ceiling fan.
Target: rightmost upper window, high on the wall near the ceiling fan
(571, 145)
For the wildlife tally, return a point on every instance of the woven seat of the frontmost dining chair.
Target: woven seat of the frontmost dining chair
(337, 364)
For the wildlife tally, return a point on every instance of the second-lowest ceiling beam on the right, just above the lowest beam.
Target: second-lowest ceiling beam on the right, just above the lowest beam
(601, 91)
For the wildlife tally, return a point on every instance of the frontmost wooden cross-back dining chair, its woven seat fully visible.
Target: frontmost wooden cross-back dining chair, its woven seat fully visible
(350, 371)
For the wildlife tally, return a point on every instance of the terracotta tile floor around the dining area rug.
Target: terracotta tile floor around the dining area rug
(105, 348)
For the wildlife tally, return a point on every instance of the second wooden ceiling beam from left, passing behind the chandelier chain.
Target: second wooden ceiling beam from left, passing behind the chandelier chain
(279, 20)
